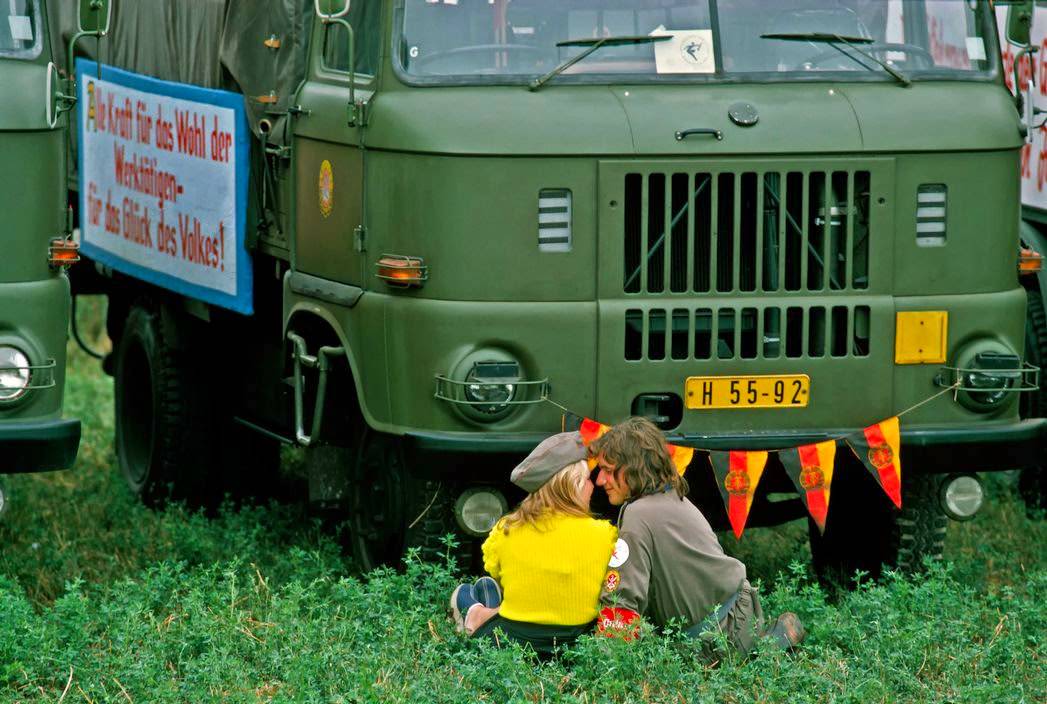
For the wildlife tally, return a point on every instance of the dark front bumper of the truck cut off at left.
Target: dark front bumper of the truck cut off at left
(38, 447)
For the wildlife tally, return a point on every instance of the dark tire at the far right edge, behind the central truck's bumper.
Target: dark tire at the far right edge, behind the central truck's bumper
(1032, 481)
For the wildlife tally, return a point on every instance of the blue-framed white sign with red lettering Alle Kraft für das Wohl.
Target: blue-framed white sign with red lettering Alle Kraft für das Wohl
(164, 184)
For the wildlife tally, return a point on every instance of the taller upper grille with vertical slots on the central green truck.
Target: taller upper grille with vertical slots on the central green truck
(724, 232)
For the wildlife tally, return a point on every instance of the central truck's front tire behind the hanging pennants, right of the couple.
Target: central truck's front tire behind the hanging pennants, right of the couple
(865, 532)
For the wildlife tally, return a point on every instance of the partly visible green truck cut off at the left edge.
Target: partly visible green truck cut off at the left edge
(38, 249)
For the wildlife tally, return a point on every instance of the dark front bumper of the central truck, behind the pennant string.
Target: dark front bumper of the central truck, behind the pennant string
(925, 450)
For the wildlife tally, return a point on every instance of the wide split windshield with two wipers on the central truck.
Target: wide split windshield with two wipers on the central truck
(509, 40)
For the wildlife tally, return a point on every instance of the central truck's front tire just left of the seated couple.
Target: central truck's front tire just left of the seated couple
(392, 512)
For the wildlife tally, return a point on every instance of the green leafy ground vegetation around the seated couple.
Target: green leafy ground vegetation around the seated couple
(105, 601)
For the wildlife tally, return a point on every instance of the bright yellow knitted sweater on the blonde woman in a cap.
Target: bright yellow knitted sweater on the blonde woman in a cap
(551, 574)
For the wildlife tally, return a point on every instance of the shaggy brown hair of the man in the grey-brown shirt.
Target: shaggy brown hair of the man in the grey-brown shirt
(637, 448)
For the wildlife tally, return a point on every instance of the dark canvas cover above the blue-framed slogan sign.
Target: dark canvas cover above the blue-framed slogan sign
(255, 48)
